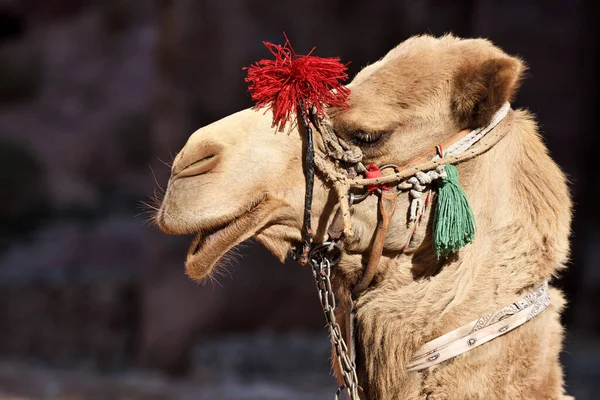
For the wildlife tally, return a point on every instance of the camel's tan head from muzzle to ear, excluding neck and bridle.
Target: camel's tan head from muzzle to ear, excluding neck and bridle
(239, 178)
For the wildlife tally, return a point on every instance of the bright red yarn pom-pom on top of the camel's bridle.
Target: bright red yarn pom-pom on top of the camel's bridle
(282, 83)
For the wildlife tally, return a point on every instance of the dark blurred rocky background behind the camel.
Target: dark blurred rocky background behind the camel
(96, 98)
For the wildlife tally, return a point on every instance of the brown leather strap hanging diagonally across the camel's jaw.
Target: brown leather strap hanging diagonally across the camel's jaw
(387, 206)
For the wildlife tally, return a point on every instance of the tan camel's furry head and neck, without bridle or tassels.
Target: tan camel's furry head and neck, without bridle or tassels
(239, 178)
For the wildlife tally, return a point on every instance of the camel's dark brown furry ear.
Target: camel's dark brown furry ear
(481, 89)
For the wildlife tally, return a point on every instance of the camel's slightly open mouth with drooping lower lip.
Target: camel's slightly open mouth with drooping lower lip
(212, 243)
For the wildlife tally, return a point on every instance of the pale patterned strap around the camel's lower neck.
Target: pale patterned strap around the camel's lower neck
(481, 330)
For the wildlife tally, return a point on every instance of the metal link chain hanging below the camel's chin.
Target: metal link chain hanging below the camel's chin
(321, 268)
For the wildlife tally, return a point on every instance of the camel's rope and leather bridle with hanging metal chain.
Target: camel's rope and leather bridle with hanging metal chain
(340, 163)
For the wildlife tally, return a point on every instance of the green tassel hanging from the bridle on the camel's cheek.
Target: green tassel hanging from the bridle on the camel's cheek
(453, 222)
